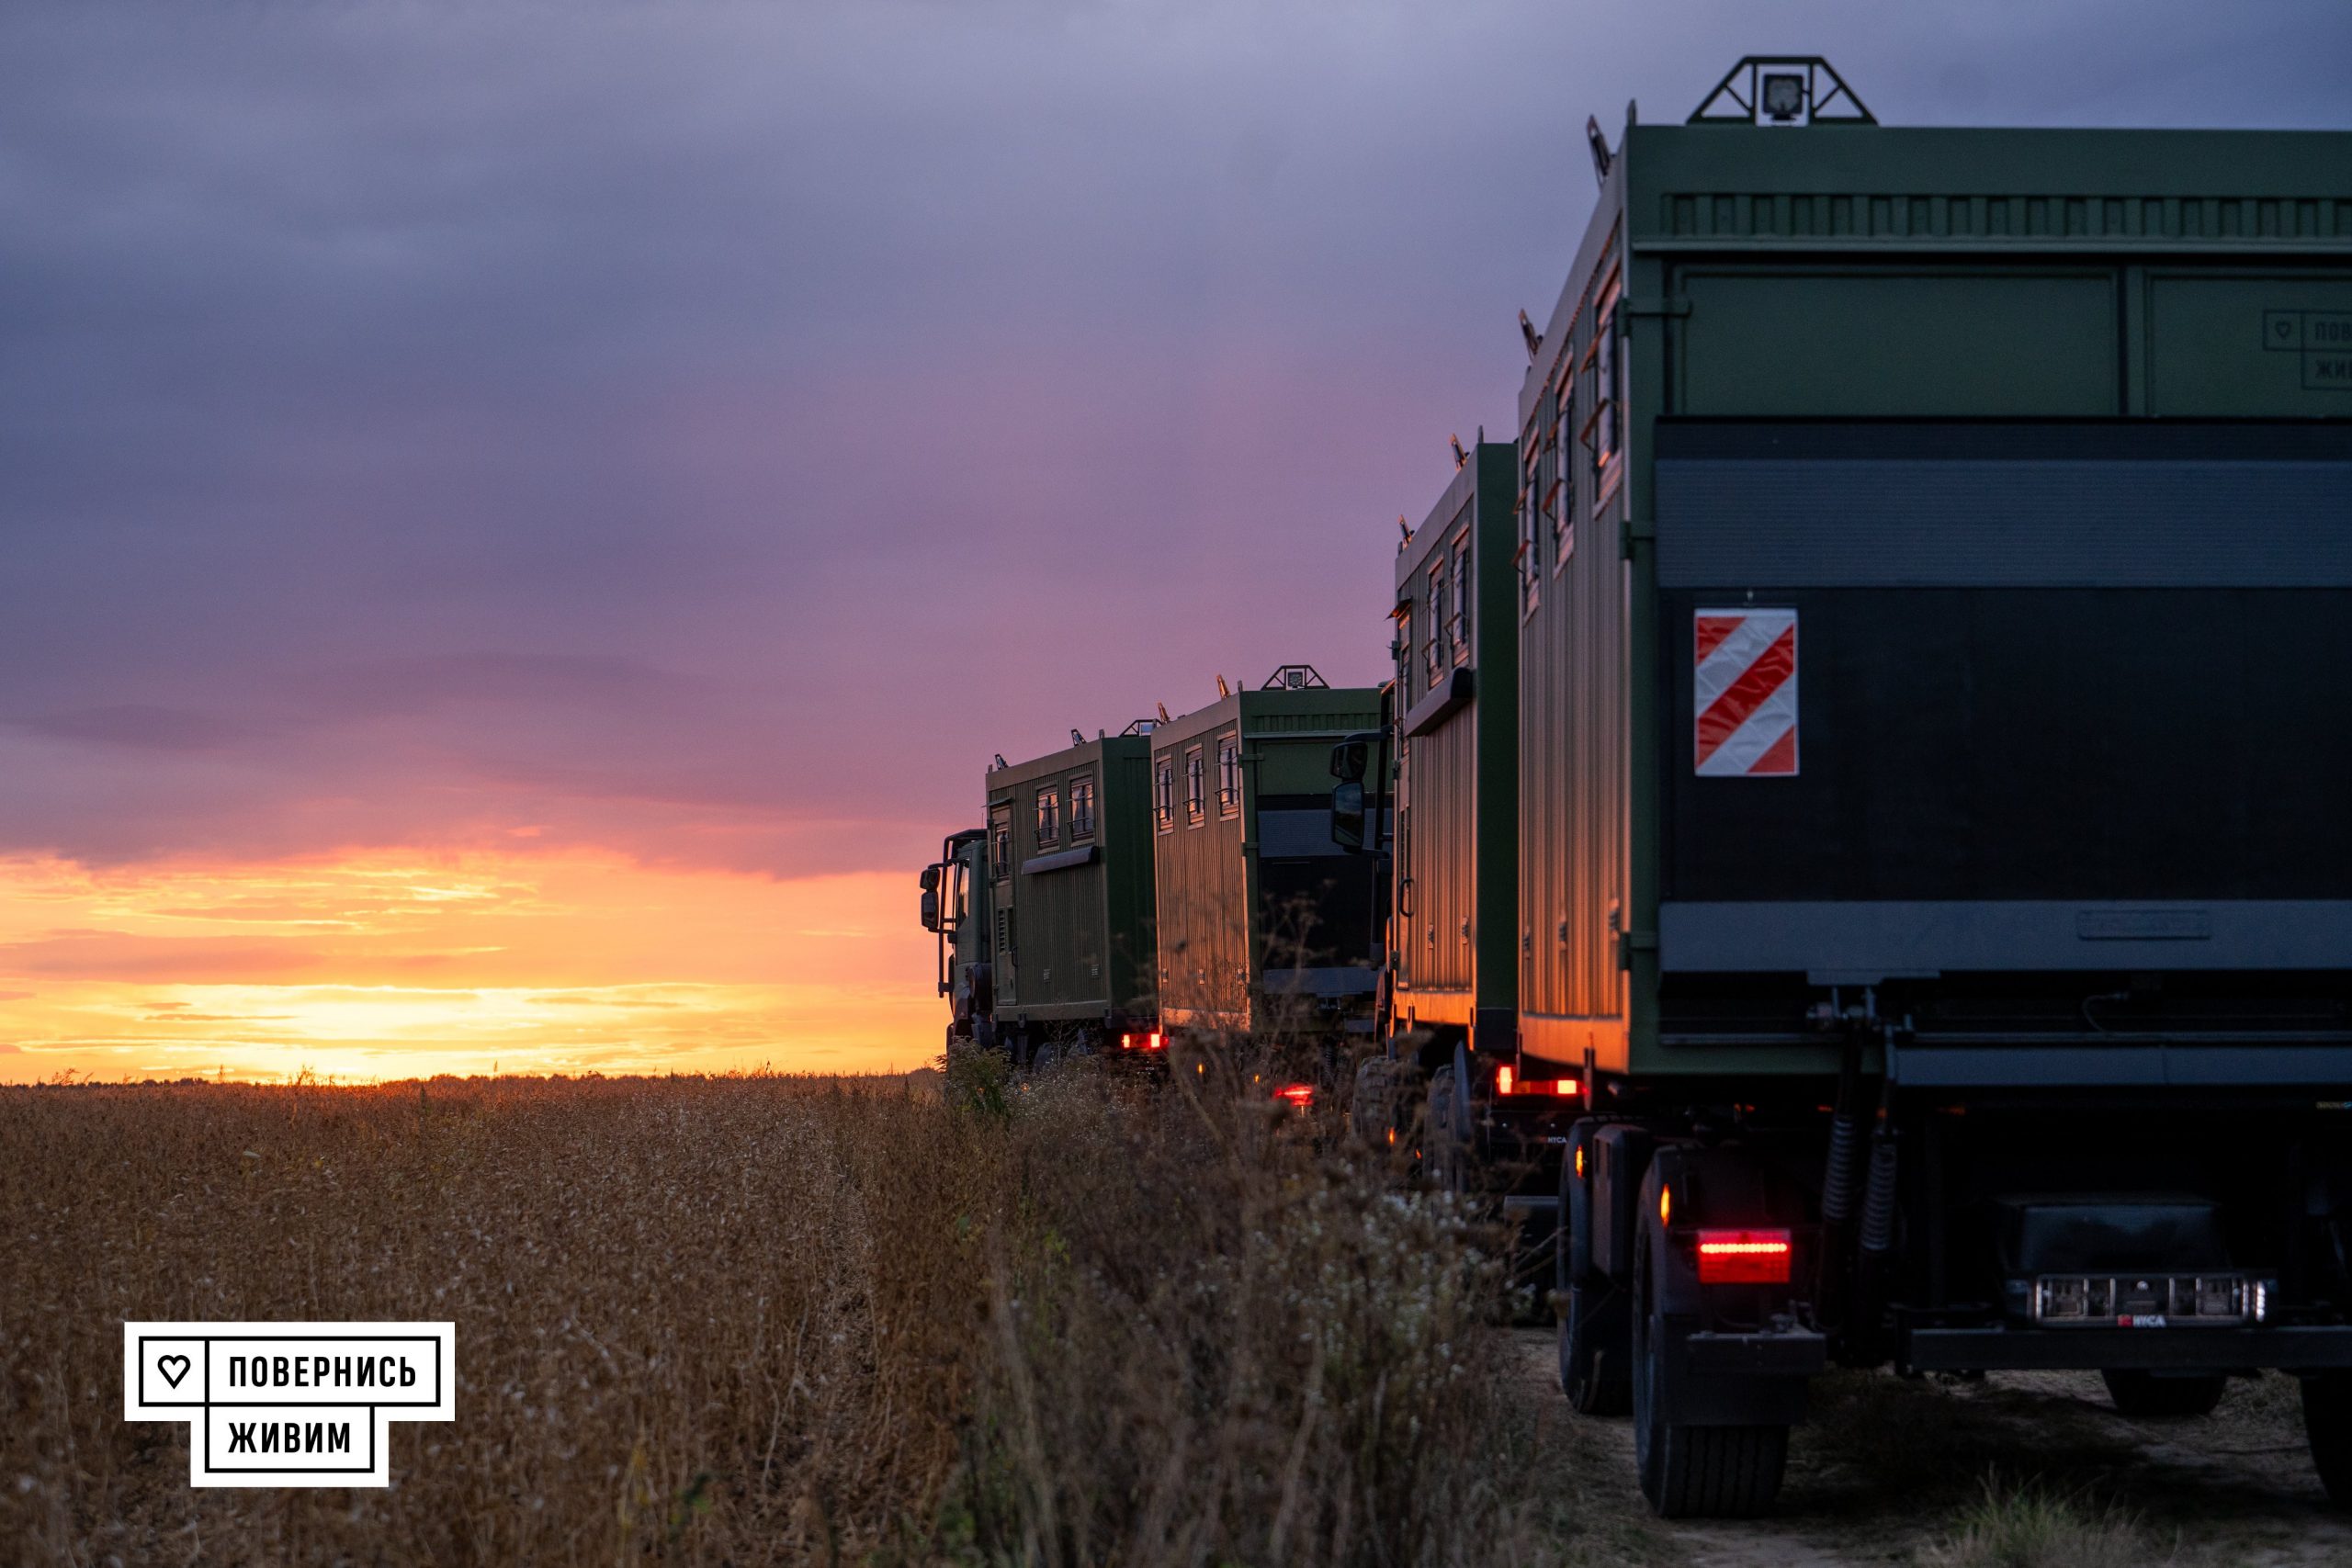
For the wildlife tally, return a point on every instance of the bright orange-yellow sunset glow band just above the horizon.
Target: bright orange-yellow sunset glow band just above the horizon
(406, 965)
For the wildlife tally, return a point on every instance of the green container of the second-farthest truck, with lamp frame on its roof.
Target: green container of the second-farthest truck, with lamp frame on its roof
(1267, 923)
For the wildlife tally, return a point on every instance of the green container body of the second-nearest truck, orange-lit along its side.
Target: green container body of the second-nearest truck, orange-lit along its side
(1455, 970)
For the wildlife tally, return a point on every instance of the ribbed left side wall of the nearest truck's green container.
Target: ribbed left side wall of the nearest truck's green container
(1572, 688)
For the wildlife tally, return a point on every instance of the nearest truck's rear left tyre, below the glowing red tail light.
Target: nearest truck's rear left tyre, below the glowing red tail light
(1692, 1473)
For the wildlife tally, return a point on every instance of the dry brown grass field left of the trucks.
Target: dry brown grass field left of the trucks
(763, 1322)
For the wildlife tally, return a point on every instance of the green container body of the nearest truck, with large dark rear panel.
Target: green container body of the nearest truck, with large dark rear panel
(1932, 377)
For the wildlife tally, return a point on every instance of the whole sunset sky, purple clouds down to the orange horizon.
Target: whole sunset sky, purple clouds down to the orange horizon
(526, 518)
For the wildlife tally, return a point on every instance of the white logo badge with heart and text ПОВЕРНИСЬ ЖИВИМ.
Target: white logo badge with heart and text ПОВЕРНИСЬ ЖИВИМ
(288, 1405)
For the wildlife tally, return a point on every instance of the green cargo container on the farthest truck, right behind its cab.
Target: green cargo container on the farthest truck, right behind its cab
(1071, 894)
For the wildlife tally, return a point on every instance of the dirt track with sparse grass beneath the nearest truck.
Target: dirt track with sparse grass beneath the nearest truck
(1883, 1468)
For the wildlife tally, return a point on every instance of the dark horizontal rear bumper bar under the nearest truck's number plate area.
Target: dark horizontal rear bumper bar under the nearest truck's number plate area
(1989, 1351)
